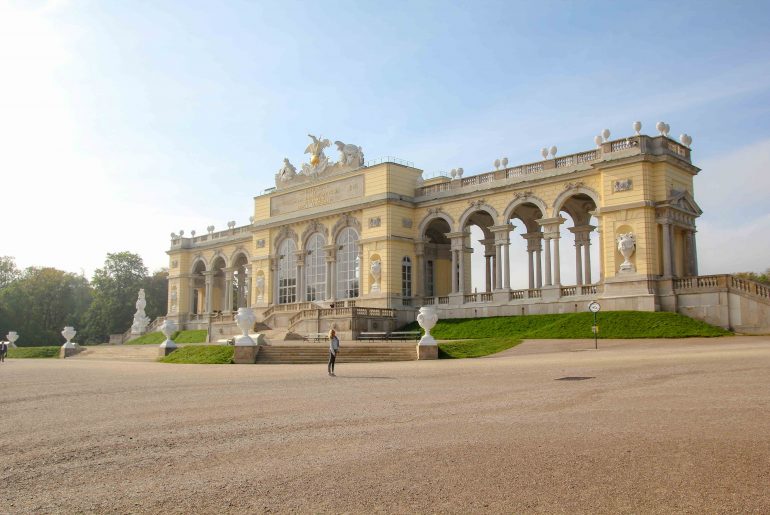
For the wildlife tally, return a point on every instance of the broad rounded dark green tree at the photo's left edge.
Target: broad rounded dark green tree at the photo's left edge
(41, 302)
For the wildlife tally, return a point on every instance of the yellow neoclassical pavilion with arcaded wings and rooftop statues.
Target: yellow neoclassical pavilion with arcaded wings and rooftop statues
(361, 246)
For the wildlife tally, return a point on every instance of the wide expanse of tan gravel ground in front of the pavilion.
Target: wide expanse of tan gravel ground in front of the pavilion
(660, 427)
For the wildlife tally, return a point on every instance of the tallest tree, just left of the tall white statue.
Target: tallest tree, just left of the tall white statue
(116, 286)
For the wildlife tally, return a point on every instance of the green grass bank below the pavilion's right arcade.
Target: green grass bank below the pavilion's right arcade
(612, 324)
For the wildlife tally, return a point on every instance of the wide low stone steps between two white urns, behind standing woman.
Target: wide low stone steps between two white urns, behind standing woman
(297, 354)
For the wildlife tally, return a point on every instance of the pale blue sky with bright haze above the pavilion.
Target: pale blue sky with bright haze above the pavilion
(125, 121)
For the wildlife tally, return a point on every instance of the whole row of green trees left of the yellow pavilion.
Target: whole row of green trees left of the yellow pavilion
(39, 301)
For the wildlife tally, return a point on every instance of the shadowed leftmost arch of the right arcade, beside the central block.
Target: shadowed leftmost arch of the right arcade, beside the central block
(437, 259)
